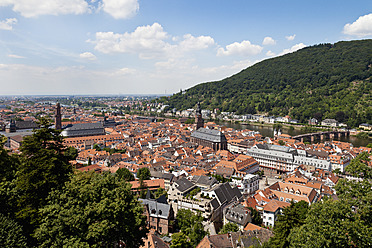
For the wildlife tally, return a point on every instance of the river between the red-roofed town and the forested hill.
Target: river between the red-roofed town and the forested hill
(268, 131)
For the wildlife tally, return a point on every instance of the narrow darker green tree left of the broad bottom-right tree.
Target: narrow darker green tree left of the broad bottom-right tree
(292, 218)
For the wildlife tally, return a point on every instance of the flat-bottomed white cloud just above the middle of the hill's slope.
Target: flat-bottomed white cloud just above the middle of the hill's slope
(245, 48)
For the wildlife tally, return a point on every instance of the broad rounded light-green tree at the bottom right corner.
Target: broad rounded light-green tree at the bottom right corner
(332, 224)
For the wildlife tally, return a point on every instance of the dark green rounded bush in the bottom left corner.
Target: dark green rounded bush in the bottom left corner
(11, 233)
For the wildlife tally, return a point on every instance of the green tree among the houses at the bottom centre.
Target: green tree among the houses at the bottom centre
(191, 224)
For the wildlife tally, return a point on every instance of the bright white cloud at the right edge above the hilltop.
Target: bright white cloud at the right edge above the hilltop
(361, 27)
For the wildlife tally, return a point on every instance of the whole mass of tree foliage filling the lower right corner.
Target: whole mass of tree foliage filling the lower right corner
(346, 222)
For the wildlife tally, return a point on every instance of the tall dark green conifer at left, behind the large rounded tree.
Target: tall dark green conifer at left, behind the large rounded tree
(44, 165)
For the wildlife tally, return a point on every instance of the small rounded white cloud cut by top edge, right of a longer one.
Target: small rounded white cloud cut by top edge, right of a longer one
(121, 9)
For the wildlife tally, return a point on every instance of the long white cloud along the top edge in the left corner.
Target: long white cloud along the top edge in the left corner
(34, 8)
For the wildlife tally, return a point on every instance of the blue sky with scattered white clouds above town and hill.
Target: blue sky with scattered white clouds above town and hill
(80, 47)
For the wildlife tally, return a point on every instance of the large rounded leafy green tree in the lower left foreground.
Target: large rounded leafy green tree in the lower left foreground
(93, 209)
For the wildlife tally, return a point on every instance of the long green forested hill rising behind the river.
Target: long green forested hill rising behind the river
(322, 81)
